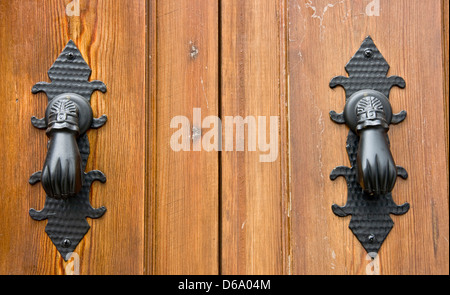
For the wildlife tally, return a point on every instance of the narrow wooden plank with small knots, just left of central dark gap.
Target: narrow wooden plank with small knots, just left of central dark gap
(187, 191)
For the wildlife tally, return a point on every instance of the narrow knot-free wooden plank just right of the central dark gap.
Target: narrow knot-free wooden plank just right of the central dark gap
(254, 193)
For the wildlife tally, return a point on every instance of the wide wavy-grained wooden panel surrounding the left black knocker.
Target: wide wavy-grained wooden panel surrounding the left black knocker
(111, 38)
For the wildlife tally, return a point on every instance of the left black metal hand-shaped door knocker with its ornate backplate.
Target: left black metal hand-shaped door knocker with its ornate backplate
(67, 119)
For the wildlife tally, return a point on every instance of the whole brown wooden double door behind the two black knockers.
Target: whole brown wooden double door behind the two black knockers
(209, 209)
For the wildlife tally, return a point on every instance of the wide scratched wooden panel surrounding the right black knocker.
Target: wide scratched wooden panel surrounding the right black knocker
(323, 36)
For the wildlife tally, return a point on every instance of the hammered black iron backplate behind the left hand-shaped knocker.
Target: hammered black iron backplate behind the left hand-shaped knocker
(67, 223)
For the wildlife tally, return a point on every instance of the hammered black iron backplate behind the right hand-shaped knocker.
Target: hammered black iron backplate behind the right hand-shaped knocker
(370, 215)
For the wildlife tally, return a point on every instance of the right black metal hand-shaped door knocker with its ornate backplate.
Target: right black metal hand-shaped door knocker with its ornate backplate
(373, 173)
